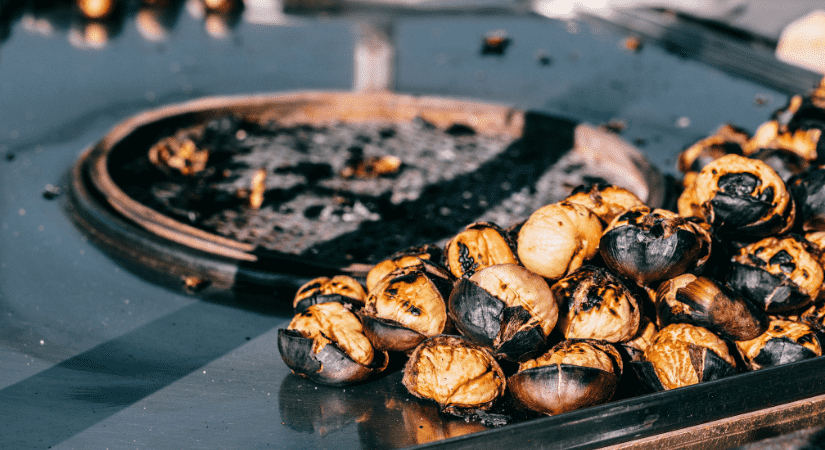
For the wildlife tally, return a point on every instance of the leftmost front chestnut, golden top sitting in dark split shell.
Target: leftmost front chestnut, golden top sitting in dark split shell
(326, 344)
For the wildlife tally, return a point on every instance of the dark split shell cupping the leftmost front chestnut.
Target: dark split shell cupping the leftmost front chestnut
(330, 366)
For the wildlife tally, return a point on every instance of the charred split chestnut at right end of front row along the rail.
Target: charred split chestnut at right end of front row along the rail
(784, 341)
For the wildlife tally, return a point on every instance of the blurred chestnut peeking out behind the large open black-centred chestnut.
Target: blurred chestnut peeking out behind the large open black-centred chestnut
(726, 140)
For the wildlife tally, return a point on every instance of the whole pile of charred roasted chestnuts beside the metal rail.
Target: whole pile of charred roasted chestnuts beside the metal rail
(557, 310)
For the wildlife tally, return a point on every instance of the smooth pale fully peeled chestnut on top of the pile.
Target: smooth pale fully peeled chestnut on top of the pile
(558, 238)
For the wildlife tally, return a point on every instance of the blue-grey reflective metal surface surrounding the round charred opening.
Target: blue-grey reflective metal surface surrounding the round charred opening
(94, 356)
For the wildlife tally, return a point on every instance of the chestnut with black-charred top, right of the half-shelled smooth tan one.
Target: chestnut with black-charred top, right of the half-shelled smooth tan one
(595, 304)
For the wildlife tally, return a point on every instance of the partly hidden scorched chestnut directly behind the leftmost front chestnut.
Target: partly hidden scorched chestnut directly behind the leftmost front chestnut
(340, 288)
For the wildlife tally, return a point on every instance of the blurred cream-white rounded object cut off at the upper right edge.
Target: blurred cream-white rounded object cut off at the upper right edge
(802, 42)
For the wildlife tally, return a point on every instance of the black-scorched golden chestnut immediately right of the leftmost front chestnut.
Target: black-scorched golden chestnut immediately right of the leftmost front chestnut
(407, 306)
